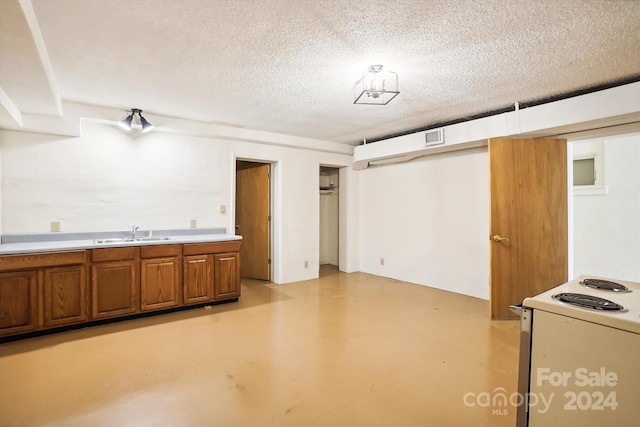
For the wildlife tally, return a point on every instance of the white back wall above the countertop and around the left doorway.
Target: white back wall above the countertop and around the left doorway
(109, 180)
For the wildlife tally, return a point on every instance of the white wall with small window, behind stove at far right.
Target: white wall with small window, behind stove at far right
(607, 226)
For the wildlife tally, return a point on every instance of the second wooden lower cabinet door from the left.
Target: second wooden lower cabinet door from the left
(65, 295)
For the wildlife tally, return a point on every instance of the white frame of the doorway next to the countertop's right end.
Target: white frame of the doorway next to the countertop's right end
(274, 209)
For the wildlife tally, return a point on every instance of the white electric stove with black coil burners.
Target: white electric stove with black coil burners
(580, 354)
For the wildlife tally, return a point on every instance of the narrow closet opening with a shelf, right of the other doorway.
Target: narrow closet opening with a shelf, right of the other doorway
(329, 216)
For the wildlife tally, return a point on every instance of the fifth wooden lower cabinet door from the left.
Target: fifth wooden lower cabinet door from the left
(198, 279)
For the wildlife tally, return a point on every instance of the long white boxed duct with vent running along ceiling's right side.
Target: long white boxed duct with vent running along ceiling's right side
(596, 112)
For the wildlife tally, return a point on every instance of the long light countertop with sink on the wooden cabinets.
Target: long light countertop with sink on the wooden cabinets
(68, 245)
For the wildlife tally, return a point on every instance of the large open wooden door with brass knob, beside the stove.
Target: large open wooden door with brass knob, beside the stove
(529, 243)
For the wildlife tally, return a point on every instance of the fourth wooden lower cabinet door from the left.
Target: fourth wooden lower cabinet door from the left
(160, 285)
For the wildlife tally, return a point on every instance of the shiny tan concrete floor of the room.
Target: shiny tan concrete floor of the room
(341, 350)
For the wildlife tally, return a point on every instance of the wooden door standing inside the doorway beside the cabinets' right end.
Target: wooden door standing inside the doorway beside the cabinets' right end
(253, 219)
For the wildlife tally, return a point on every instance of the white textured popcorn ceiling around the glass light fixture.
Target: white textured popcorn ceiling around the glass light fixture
(288, 66)
